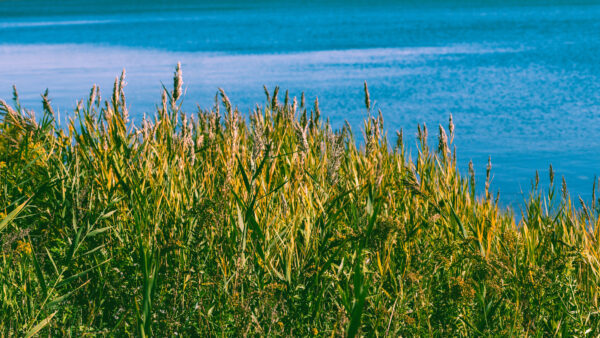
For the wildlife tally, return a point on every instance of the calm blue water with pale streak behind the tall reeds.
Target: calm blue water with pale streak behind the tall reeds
(522, 81)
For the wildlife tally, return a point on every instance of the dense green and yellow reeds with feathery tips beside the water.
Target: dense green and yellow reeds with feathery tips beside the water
(214, 224)
